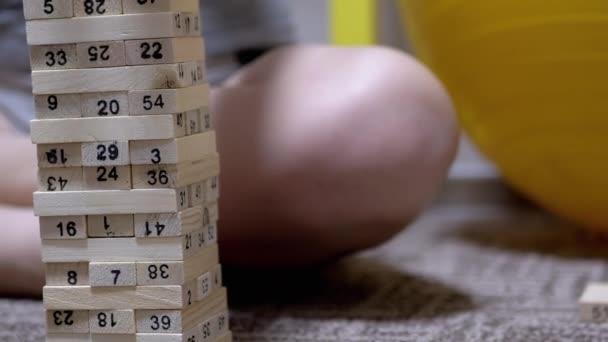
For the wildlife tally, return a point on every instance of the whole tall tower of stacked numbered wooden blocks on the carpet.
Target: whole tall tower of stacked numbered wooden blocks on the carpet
(128, 172)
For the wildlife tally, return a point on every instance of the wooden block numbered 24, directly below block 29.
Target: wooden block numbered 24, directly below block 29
(107, 177)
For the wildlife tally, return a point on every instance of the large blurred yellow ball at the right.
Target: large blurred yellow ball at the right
(530, 81)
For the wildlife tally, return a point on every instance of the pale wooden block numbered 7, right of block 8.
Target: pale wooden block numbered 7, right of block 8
(105, 274)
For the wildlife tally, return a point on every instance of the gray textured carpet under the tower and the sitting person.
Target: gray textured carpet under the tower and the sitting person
(465, 273)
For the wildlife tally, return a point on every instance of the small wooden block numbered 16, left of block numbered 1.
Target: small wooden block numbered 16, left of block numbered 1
(63, 227)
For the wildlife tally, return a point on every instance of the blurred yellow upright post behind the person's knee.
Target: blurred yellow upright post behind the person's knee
(353, 22)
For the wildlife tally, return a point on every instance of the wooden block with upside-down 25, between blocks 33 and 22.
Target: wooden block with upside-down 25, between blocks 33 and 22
(101, 54)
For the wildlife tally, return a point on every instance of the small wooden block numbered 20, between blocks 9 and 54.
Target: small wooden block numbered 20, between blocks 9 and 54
(110, 104)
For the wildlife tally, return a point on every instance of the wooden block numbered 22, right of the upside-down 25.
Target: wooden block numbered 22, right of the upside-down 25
(165, 50)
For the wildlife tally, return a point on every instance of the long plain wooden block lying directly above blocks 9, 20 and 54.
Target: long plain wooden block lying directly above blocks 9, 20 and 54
(160, 76)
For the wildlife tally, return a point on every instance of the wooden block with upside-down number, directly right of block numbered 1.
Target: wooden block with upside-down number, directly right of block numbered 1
(160, 225)
